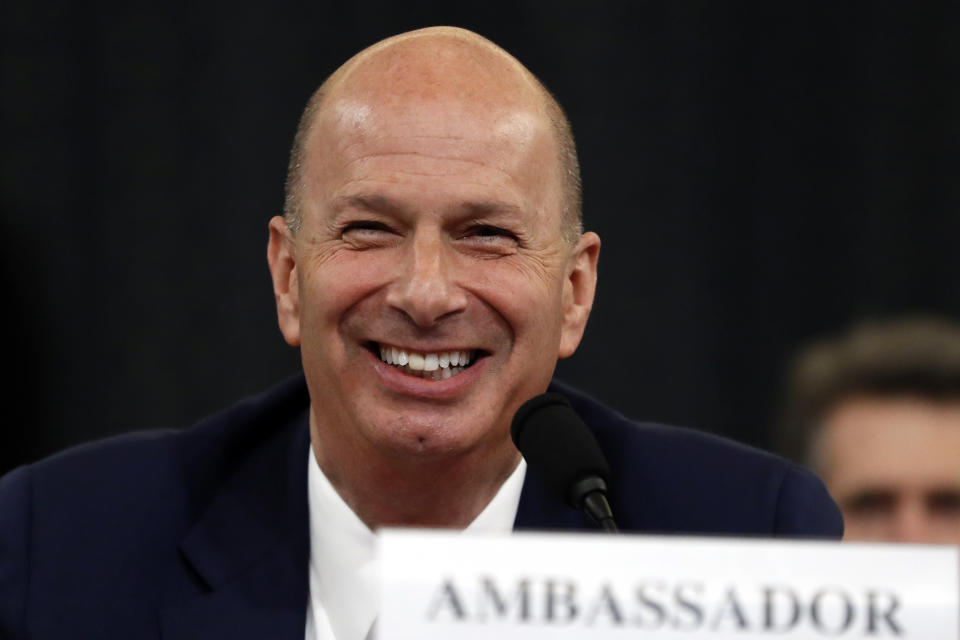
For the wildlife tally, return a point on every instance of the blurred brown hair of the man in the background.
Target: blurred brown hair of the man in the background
(913, 356)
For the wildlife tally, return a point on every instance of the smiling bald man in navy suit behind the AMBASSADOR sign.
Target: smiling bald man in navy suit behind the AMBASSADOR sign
(431, 268)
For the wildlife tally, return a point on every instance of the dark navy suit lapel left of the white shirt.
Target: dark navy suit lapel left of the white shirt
(250, 549)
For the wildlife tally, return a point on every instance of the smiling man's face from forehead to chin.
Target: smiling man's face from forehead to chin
(432, 228)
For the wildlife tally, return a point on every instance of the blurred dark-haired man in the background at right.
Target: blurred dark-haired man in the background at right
(876, 413)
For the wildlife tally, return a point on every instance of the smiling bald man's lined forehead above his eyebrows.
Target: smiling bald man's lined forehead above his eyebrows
(355, 143)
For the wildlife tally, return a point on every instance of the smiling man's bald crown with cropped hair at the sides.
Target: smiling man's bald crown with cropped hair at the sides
(440, 64)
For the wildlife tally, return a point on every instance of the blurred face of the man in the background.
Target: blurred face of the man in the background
(893, 466)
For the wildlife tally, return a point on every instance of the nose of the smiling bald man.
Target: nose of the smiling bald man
(425, 289)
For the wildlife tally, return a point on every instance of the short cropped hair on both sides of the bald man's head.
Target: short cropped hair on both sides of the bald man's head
(572, 203)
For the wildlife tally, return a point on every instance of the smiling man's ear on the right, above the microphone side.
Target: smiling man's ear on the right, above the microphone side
(578, 289)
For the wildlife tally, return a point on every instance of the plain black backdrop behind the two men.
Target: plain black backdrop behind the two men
(760, 173)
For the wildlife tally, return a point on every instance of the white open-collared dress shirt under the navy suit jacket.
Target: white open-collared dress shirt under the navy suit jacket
(343, 564)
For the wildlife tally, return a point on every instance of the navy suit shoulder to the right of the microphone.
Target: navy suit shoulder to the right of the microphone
(678, 479)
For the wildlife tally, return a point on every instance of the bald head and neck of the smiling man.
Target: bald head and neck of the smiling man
(428, 271)
